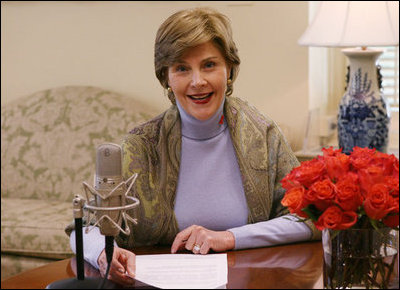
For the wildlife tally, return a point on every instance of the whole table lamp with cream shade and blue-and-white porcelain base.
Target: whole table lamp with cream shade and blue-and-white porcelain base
(363, 118)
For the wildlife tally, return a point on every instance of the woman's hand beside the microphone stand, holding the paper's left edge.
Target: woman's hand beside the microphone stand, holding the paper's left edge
(123, 262)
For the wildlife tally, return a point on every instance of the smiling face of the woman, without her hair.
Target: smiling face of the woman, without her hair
(199, 80)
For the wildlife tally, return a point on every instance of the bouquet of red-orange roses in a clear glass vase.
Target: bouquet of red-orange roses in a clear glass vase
(354, 200)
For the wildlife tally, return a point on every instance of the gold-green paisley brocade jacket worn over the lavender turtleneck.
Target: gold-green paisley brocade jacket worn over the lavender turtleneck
(153, 150)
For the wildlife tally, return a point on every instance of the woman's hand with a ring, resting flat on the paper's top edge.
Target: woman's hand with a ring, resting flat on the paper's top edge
(200, 240)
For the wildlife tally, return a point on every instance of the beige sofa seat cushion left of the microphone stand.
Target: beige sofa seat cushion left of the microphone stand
(35, 227)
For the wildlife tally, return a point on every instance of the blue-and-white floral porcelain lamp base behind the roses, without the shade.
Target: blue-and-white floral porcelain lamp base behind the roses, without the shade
(363, 118)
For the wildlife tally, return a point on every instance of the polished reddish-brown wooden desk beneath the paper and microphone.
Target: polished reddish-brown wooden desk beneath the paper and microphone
(288, 266)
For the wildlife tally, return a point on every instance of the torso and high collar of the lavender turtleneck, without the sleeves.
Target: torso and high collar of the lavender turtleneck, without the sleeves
(210, 190)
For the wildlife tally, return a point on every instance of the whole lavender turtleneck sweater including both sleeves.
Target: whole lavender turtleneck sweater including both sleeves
(210, 192)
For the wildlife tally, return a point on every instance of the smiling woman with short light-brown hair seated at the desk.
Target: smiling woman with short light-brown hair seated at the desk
(210, 166)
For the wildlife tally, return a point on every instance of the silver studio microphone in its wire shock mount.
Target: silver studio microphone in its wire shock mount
(111, 200)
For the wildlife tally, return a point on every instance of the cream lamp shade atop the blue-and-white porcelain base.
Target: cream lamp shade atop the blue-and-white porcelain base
(354, 23)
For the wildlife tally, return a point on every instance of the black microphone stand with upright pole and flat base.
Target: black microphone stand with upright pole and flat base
(80, 282)
